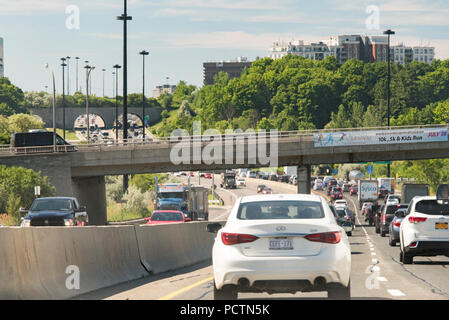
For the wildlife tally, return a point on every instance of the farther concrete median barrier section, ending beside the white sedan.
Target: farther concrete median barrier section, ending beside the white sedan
(172, 246)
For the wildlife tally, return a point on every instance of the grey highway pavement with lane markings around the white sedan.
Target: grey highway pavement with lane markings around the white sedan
(376, 271)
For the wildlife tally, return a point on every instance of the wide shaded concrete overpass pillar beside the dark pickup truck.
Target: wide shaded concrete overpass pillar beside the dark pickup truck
(91, 192)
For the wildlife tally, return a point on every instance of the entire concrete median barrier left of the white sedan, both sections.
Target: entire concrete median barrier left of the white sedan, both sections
(33, 261)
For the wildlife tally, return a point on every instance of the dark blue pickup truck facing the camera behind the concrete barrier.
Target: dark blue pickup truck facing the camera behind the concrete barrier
(55, 211)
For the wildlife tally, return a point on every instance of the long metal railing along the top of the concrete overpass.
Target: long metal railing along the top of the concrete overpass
(303, 135)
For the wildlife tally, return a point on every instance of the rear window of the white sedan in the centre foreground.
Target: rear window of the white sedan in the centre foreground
(280, 210)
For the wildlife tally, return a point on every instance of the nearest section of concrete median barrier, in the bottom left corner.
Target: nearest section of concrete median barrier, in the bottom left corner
(33, 261)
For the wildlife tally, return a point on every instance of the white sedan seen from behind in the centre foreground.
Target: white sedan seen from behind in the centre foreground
(281, 243)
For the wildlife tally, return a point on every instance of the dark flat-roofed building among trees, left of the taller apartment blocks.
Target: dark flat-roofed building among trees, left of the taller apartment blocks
(233, 68)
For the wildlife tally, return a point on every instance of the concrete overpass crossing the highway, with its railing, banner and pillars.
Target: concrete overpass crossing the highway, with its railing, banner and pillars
(81, 173)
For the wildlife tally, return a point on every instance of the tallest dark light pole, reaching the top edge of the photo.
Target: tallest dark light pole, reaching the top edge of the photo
(125, 18)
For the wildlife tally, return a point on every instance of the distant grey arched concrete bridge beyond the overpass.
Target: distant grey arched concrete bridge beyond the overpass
(107, 114)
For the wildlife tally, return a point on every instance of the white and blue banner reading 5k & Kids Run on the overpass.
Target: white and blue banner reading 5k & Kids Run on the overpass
(351, 138)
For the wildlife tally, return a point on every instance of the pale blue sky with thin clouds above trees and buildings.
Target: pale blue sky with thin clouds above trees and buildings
(182, 34)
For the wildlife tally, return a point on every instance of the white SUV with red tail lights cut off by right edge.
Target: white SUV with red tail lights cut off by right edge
(424, 231)
